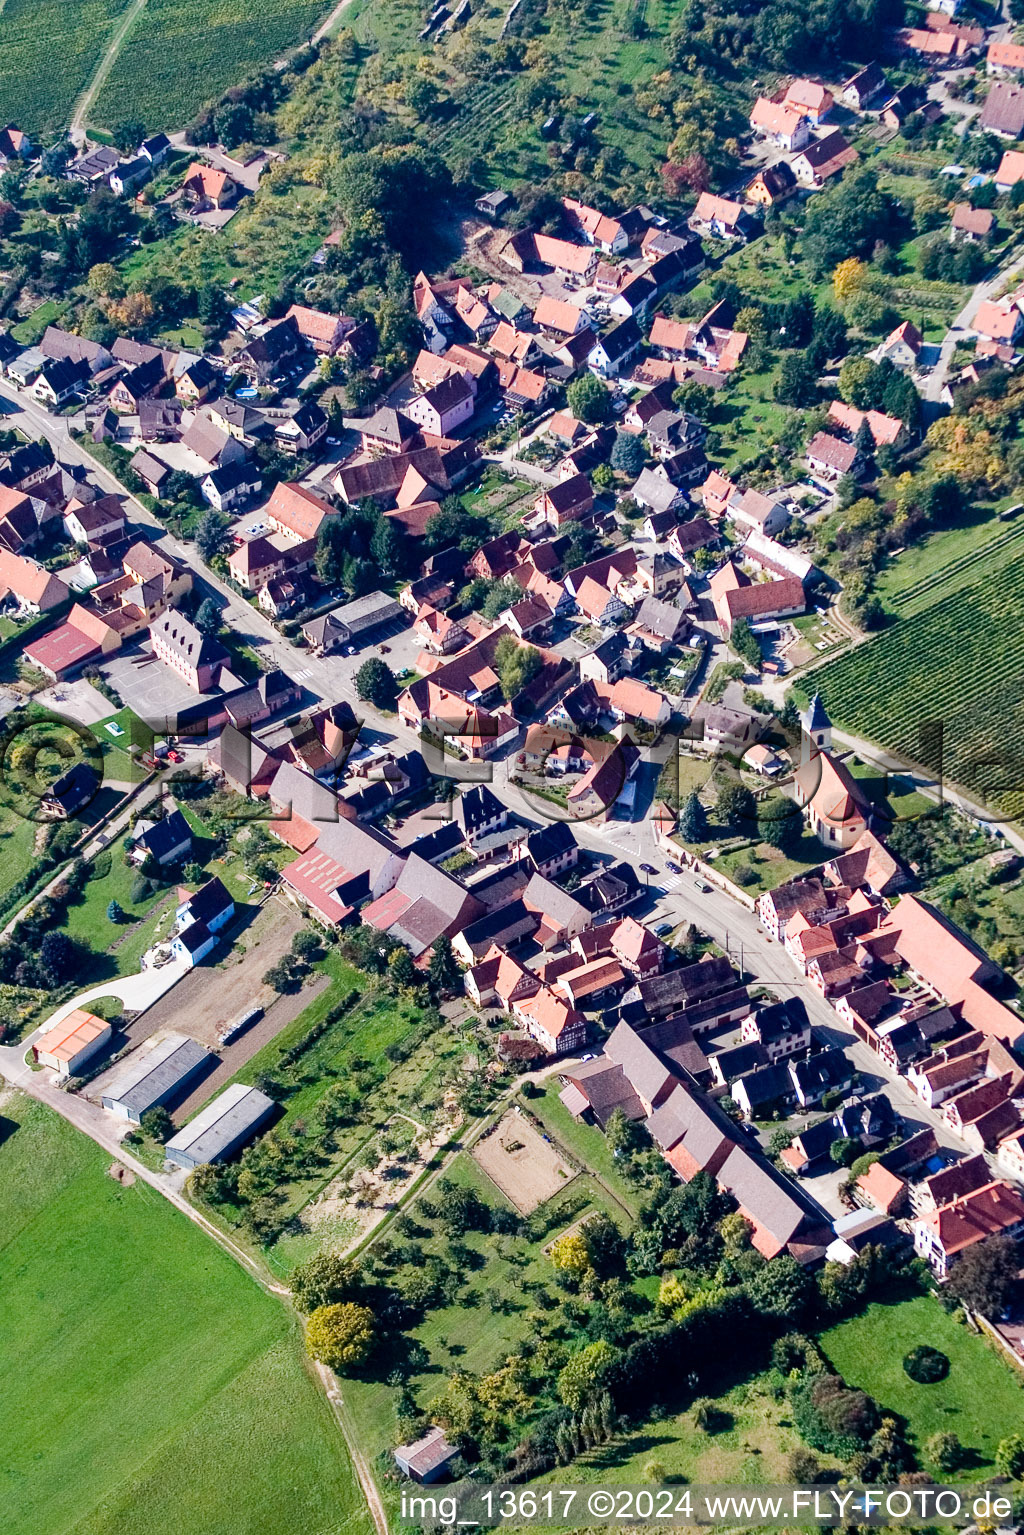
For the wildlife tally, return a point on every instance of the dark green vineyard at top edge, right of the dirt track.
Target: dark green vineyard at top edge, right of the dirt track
(183, 53)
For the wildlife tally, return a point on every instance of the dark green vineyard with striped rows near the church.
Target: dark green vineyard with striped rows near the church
(957, 664)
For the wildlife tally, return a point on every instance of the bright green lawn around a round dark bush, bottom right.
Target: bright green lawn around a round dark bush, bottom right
(982, 1401)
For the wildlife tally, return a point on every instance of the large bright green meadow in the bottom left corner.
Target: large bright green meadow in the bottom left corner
(150, 1385)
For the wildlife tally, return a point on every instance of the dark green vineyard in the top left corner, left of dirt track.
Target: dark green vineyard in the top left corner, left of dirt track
(48, 54)
